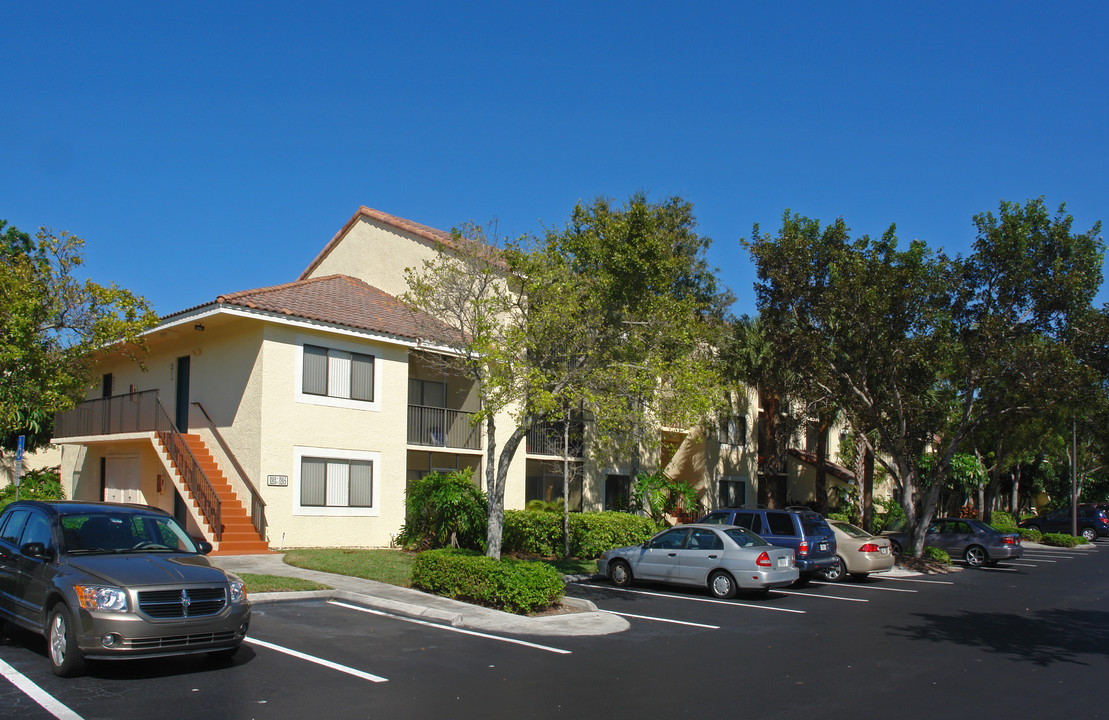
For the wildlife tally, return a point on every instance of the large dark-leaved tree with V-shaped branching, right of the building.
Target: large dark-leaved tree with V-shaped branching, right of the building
(920, 349)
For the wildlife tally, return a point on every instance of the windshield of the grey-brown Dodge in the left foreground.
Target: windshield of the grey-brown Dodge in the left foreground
(87, 533)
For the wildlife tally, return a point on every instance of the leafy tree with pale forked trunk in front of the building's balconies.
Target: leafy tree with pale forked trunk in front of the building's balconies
(611, 315)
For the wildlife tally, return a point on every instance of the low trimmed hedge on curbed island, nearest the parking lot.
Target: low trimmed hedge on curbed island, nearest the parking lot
(511, 585)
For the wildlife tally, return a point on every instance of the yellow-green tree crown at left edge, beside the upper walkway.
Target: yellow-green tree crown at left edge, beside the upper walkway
(53, 324)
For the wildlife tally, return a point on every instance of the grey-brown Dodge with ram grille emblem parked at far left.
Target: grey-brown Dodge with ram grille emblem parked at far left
(107, 581)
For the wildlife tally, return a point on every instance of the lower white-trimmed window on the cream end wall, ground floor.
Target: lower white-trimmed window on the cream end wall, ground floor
(331, 482)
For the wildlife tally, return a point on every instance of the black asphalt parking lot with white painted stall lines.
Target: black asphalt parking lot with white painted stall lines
(1027, 637)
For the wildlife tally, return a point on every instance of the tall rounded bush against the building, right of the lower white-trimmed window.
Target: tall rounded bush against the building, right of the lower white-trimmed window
(445, 511)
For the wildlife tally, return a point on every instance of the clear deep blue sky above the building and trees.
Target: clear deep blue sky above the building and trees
(206, 148)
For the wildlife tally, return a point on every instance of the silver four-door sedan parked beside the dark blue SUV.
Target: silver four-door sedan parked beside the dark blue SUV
(721, 557)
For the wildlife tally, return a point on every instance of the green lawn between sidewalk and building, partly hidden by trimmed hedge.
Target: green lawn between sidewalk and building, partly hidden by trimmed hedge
(394, 567)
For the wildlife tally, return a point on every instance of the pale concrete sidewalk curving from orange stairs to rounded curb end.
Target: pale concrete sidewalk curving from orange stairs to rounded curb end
(587, 622)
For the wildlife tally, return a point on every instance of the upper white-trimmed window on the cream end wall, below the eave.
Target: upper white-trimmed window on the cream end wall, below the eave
(337, 374)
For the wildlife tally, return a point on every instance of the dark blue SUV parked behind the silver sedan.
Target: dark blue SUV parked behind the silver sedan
(806, 532)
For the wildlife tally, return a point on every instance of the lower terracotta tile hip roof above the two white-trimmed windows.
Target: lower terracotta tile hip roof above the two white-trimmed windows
(342, 301)
